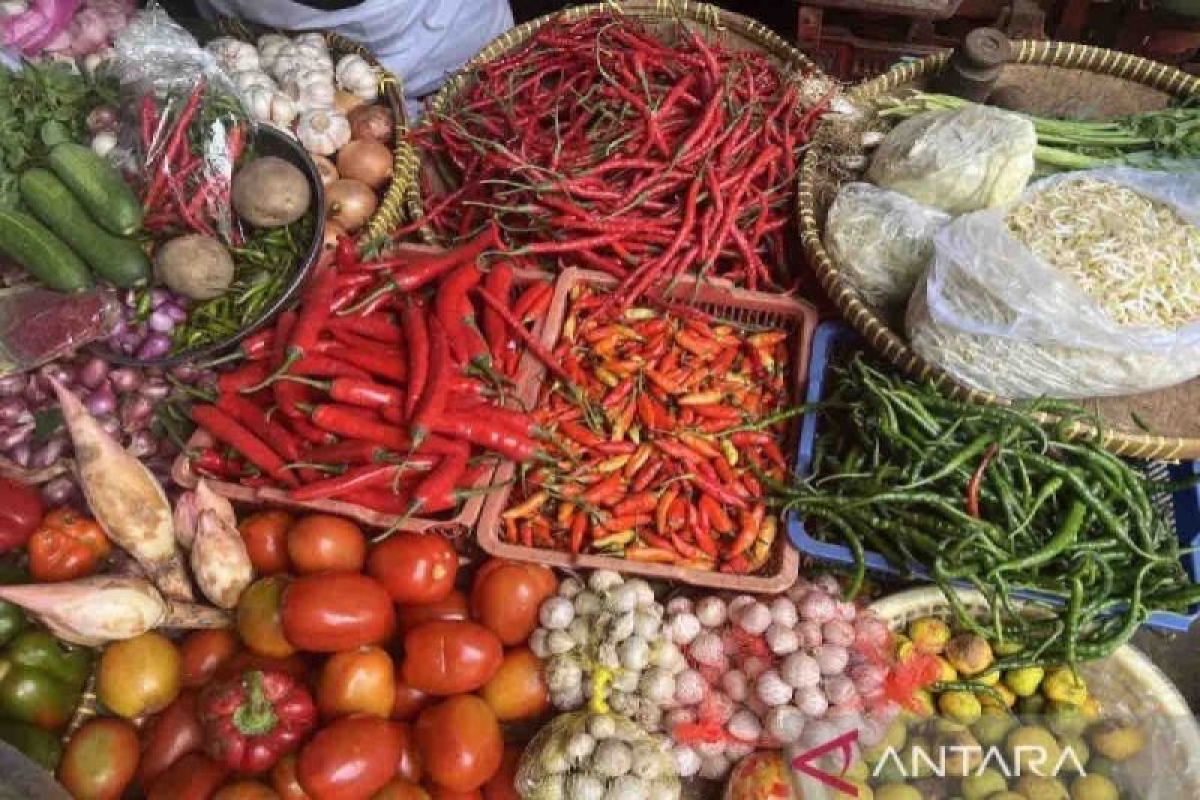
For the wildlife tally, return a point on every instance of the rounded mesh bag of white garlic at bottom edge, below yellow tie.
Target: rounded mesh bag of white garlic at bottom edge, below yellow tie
(597, 756)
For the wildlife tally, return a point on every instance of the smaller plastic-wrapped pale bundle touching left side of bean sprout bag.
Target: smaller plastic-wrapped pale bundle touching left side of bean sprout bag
(881, 240)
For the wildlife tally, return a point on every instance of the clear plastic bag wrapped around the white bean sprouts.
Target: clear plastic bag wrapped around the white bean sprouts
(999, 320)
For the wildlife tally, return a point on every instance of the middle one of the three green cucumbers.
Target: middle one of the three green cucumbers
(119, 261)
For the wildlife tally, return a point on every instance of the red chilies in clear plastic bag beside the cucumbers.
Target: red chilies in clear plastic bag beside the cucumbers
(188, 182)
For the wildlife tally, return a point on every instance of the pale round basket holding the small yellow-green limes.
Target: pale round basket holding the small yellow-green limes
(1127, 684)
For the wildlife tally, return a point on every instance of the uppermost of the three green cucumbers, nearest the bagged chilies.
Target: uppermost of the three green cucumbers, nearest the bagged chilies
(99, 187)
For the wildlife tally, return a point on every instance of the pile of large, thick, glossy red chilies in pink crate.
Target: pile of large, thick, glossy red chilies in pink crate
(388, 388)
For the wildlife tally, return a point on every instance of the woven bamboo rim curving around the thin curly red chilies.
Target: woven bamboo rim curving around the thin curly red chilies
(703, 14)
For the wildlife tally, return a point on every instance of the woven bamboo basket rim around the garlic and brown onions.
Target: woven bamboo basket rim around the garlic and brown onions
(401, 202)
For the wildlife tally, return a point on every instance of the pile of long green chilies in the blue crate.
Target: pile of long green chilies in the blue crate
(997, 500)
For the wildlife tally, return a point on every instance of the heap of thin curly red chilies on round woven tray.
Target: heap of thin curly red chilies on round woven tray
(603, 146)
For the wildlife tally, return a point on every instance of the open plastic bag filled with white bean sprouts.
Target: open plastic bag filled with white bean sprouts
(1089, 286)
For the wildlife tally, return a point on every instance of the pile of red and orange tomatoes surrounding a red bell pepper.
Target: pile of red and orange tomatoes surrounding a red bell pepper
(357, 670)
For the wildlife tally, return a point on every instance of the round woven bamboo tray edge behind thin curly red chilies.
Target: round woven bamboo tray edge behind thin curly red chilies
(717, 25)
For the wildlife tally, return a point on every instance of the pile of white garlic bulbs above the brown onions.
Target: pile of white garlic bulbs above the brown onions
(293, 81)
